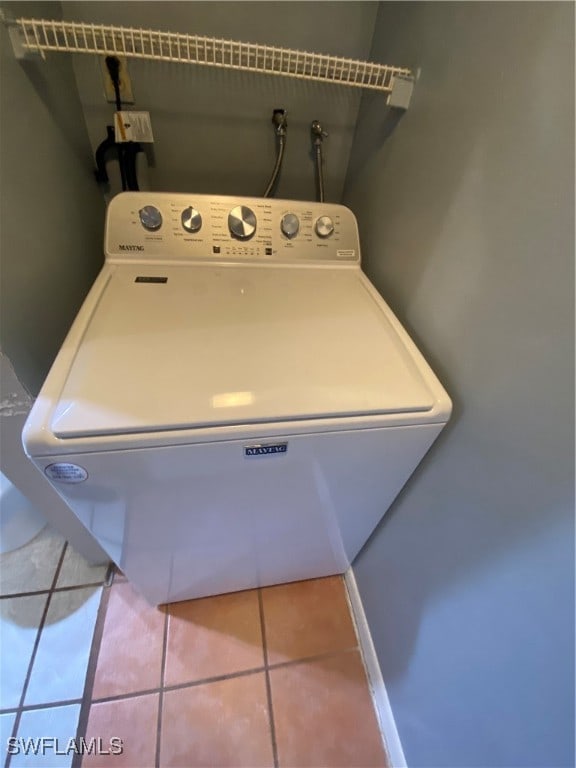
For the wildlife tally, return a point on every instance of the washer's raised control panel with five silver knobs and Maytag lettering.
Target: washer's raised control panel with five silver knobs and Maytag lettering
(143, 226)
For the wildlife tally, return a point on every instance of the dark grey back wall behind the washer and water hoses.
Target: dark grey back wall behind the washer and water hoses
(212, 128)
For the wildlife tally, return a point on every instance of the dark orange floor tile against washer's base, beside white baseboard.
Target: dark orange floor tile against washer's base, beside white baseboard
(307, 618)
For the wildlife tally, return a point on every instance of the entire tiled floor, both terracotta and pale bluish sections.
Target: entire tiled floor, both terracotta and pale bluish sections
(269, 677)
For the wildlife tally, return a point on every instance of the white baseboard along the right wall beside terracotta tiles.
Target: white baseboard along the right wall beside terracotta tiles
(376, 681)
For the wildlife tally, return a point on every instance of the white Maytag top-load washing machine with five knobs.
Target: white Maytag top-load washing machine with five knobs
(235, 405)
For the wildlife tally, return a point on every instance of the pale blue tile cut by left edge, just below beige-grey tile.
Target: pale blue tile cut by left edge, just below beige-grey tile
(19, 621)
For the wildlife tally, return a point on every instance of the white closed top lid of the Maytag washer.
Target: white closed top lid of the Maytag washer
(209, 346)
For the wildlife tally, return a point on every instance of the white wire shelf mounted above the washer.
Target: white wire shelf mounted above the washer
(41, 35)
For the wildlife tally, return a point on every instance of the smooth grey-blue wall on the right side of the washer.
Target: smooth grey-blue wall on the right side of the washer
(466, 216)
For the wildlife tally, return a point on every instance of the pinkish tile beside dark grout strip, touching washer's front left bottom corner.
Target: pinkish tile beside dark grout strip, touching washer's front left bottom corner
(130, 657)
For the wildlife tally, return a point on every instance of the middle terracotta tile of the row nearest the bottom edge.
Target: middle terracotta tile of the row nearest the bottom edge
(217, 724)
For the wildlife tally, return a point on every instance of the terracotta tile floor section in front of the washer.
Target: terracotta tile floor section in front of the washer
(269, 677)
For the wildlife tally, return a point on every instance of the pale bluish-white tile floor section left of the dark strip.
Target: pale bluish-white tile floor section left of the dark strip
(49, 599)
